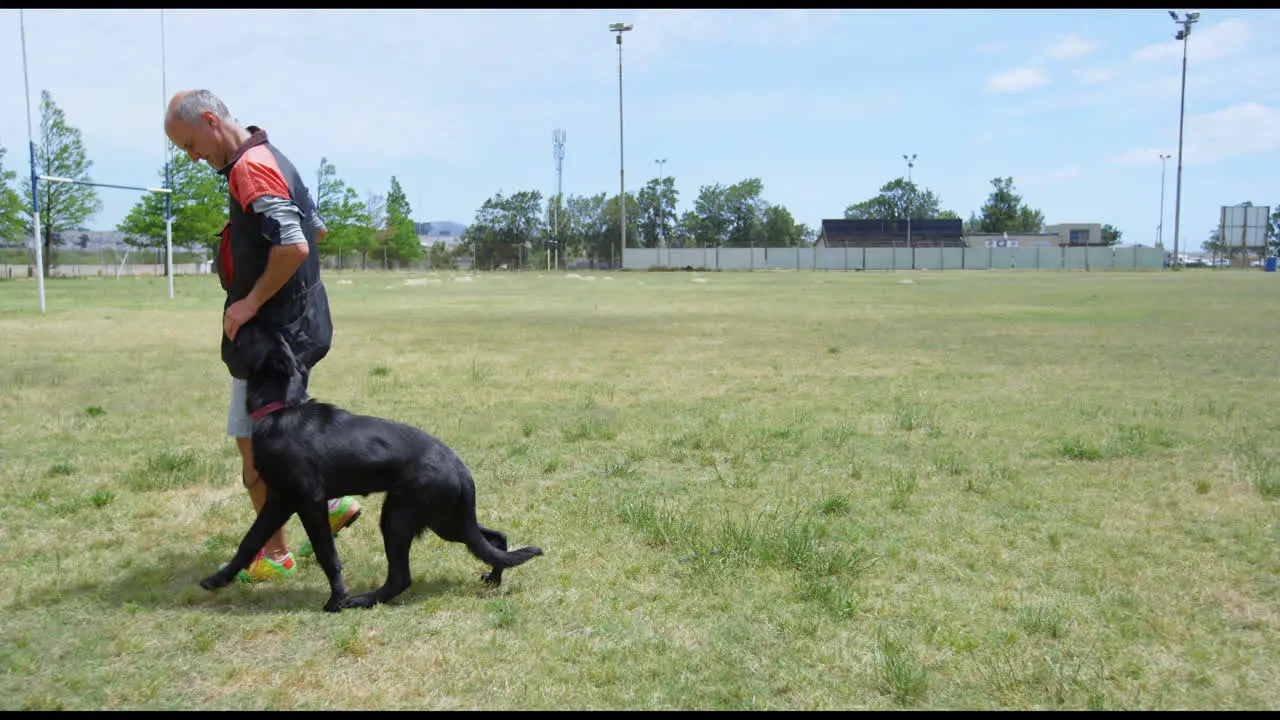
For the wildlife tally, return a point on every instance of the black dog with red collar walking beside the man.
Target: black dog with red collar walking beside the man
(309, 453)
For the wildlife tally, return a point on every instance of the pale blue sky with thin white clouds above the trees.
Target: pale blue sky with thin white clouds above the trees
(820, 104)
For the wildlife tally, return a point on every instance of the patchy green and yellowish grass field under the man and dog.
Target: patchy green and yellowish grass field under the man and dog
(758, 491)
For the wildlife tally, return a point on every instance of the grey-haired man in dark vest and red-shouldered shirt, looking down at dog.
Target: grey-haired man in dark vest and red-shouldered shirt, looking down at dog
(269, 267)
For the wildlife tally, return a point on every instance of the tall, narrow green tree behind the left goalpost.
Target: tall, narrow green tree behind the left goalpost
(61, 153)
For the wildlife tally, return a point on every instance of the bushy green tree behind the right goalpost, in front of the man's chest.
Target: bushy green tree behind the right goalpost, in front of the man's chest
(198, 202)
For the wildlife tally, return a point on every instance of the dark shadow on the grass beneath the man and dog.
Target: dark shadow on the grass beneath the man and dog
(172, 581)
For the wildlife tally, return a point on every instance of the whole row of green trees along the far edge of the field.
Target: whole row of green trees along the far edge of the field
(510, 230)
